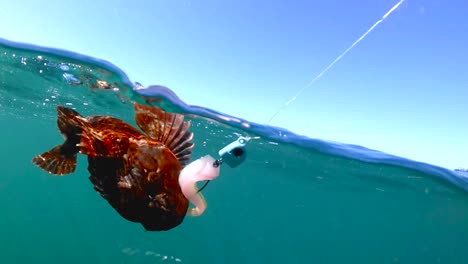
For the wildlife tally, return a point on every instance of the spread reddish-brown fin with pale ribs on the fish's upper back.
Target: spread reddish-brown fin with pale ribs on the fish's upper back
(167, 128)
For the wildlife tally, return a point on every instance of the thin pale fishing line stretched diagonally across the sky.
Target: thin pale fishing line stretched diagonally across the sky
(299, 92)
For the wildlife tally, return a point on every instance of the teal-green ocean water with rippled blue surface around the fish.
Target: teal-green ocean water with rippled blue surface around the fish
(294, 199)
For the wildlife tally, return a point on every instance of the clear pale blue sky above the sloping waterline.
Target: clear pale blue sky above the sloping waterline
(403, 89)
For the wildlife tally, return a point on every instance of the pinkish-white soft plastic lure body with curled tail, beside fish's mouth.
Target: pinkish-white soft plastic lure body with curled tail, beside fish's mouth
(201, 169)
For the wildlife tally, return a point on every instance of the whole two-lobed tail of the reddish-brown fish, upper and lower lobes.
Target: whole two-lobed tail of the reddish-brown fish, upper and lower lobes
(62, 159)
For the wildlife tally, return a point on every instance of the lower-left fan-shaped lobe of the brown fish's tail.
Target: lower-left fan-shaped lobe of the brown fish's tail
(55, 162)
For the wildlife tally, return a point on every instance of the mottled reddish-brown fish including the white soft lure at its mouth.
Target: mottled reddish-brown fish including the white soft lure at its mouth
(143, 175)
